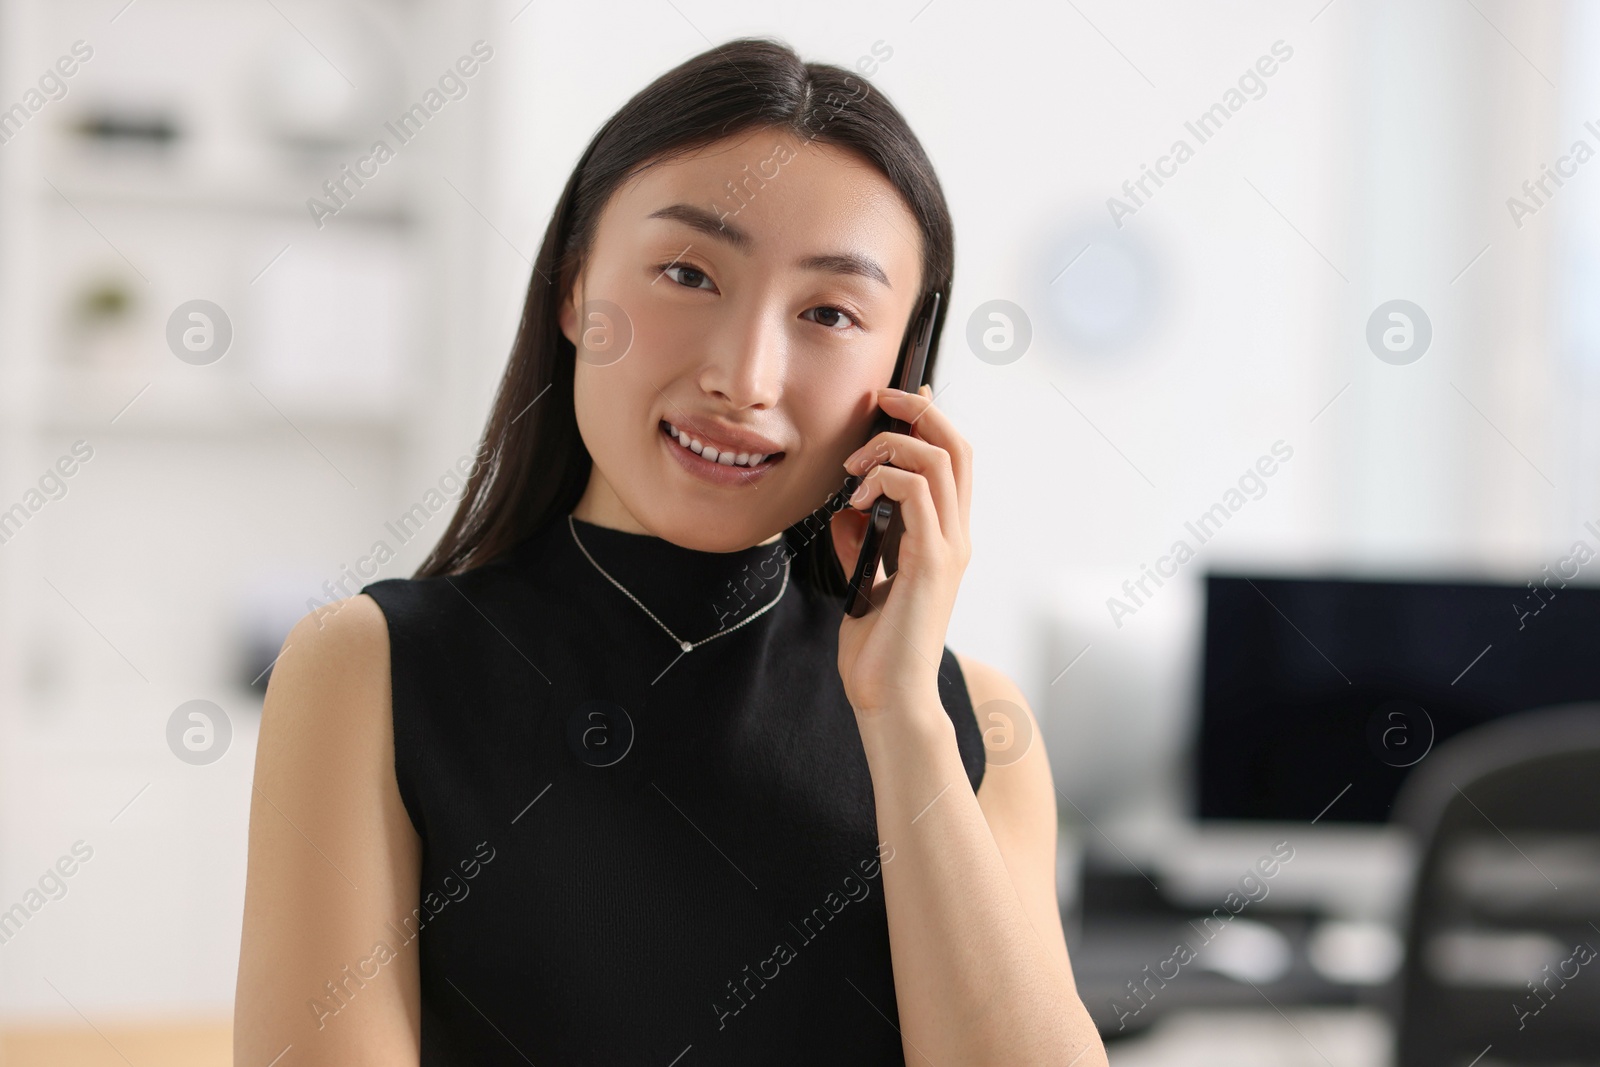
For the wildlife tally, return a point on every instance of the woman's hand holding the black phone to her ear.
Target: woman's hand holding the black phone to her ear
(890, 657)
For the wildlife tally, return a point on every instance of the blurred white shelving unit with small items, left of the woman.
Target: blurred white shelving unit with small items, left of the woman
(218, 497)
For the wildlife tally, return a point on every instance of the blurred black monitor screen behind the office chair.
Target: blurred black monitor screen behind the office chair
(1311, 685)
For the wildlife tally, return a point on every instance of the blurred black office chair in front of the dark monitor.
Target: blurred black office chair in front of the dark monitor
(1502, 959)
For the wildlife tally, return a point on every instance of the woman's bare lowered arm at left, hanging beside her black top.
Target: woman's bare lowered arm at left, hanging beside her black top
(334, 860)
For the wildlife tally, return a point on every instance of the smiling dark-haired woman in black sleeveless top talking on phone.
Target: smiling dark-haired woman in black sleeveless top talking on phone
(614, 778)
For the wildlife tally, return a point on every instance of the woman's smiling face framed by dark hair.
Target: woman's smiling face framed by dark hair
(766, 284)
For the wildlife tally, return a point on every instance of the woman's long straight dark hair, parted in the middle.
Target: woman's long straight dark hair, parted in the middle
(535, 465)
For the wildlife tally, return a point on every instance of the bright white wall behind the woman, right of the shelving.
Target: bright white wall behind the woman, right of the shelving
(1374, 167)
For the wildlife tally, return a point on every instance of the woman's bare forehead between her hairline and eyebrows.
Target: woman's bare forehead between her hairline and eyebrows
(793, 198)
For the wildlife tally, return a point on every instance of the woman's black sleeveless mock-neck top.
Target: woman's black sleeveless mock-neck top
(631, 853)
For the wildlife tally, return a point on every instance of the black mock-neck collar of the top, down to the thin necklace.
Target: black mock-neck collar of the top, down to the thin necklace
(694, 593)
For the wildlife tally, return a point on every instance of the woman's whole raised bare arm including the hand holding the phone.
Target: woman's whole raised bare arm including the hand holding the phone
(982, 972)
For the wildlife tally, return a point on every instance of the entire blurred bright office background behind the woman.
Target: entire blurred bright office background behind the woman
(1121, 370)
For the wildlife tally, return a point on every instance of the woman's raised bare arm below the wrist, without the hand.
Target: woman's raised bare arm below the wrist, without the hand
(982, 970)
